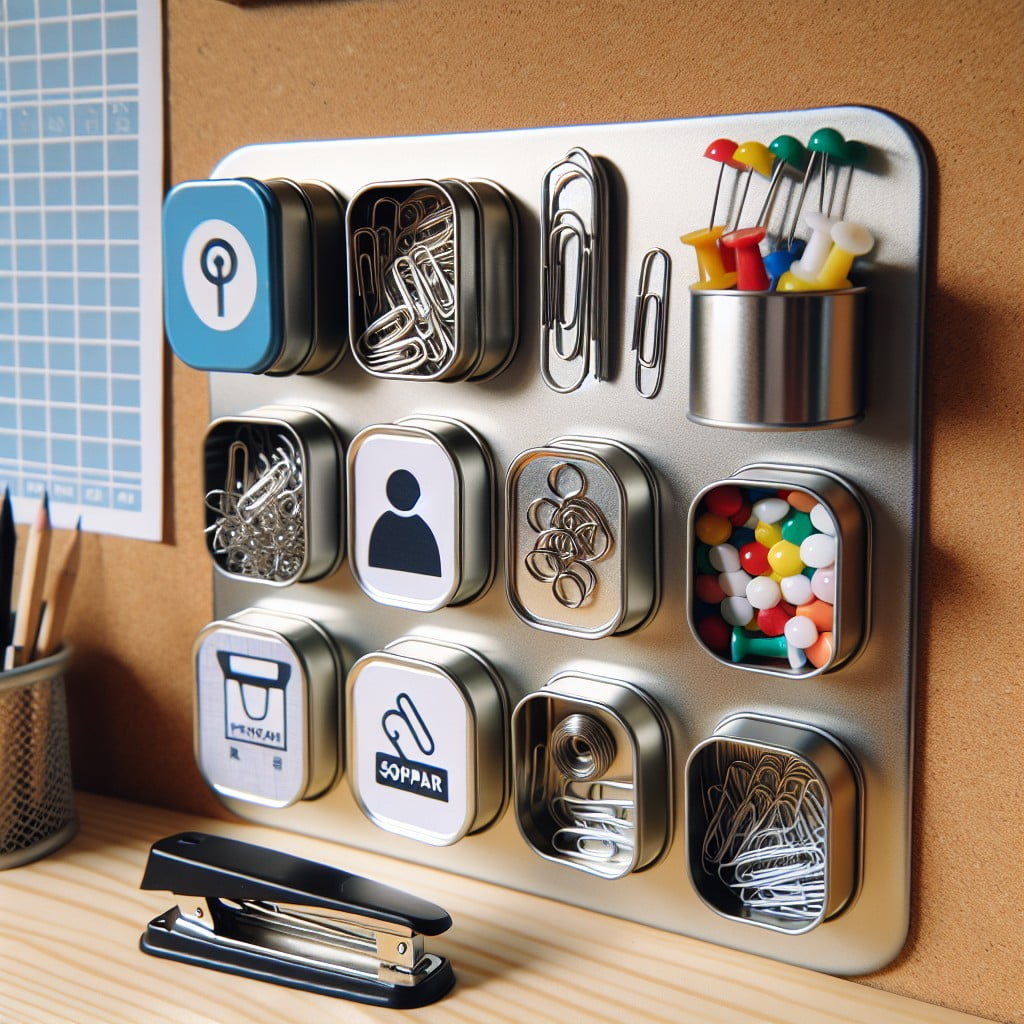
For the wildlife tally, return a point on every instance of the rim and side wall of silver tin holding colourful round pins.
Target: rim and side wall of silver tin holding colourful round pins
(852, 618)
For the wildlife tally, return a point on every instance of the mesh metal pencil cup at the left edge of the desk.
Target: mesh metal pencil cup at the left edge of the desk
(37, 802)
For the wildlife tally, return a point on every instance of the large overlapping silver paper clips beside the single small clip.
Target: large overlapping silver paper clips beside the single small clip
(575, 225)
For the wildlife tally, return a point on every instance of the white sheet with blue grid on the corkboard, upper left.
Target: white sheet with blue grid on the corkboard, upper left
(81, 178)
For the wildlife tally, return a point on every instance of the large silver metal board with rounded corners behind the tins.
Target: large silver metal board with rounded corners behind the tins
(661, 188)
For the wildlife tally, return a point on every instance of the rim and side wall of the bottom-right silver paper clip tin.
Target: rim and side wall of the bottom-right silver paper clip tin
(843, 786)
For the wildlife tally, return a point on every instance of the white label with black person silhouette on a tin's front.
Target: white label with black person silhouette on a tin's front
(406, 497)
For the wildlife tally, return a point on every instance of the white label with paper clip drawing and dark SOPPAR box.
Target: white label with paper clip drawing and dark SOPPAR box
(411, 762)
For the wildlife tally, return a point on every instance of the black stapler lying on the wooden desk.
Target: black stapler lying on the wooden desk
(277, 918)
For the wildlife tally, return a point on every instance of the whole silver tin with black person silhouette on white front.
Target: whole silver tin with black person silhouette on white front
(421, 514)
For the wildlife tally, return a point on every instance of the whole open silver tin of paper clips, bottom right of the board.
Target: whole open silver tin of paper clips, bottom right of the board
(821, 870)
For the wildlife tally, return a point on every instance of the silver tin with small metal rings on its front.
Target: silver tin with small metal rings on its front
(582, 538)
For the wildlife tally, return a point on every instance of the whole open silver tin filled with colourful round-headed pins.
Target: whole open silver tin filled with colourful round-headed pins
(814, 563)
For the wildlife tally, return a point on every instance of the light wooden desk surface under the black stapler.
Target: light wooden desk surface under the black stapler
(70, 927)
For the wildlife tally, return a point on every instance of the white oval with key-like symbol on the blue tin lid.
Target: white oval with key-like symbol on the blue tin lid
(220, 273)
